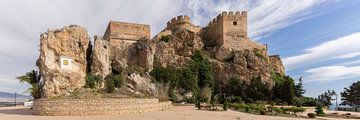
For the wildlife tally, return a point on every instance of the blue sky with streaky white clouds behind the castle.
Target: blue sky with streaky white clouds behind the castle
(318, 40)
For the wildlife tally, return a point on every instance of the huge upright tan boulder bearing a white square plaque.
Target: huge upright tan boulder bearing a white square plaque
(63, 60)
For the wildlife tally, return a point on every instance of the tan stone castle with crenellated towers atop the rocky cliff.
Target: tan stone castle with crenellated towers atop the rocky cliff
(228, 29)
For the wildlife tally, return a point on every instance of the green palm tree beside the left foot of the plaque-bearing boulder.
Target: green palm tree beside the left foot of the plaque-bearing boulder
(33, 78)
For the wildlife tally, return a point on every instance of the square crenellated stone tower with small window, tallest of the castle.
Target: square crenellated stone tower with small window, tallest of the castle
(228, 29)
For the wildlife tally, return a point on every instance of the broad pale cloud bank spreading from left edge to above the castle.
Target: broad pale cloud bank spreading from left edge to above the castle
(22, 21)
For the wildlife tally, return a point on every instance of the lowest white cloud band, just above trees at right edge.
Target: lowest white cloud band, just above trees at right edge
(329, 73)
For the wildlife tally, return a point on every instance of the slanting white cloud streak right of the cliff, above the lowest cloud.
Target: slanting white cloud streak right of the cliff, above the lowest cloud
(344, 47)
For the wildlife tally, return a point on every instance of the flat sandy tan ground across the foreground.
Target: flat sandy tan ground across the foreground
(175, 113)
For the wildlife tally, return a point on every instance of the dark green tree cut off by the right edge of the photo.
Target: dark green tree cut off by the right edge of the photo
(350, 96)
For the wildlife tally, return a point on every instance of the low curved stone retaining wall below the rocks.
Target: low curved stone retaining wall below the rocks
(97, 106)
